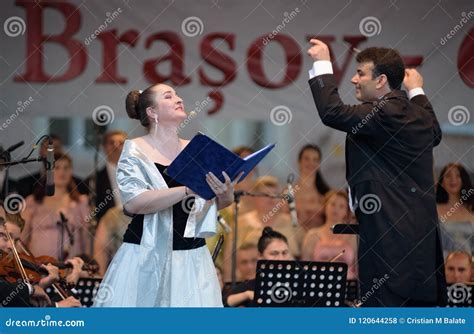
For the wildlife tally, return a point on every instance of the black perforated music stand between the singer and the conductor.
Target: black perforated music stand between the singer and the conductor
(300, 284)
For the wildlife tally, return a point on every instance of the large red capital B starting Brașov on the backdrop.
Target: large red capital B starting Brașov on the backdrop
(35, 41)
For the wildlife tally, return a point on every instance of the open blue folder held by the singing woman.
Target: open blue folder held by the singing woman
(203, 155)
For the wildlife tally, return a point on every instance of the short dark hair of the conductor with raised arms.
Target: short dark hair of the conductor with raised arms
(386, 61)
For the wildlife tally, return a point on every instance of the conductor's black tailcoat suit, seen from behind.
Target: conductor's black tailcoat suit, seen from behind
(389, 168)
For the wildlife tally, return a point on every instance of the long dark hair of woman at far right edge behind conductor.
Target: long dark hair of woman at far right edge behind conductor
(466, 192)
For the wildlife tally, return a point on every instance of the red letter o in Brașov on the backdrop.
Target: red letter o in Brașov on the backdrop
(255, 61)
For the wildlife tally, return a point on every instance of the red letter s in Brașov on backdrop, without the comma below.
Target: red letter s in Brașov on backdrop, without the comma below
(217, 59)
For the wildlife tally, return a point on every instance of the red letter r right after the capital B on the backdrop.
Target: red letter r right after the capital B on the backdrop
(110, 40)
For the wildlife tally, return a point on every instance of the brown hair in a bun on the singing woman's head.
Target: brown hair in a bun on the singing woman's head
(136, 104)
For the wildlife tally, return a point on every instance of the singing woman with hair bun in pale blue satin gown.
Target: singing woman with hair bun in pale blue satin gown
(151, 273)
